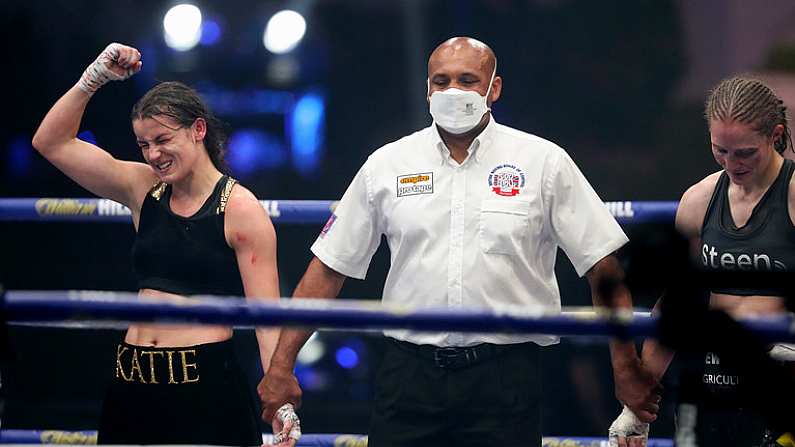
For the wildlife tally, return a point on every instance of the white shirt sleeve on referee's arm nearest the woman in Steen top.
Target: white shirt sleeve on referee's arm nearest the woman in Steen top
(580, 222)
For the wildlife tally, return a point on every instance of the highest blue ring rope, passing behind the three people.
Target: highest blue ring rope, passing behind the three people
(281, 211)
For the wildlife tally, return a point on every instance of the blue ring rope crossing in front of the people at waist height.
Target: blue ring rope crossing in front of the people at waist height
(43, 306)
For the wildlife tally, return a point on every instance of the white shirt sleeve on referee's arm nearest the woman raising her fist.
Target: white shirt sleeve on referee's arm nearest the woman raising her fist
(352, 234)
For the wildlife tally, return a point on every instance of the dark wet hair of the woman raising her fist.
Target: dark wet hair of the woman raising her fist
(184, 105)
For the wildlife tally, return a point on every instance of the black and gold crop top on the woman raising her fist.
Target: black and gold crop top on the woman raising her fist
(186, 255)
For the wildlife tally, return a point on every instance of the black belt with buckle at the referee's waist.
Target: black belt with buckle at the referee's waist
(457, 357)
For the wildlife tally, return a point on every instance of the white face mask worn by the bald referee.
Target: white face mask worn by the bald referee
(459, 111)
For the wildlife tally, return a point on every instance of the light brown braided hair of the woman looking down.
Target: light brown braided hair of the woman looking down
(749, 101)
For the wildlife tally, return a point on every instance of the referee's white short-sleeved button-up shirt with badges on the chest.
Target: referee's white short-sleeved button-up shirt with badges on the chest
(482, 234)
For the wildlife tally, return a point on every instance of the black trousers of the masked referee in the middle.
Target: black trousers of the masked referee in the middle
(492, 398)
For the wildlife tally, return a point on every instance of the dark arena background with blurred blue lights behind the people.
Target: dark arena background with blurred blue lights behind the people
(619, 84)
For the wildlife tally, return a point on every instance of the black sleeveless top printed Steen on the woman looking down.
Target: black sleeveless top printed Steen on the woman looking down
(766, 243)
